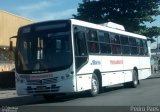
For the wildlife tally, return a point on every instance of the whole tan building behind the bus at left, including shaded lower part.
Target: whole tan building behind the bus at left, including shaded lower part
(9, 24)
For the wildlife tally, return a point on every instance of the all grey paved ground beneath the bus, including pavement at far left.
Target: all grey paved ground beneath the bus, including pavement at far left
(115, 99)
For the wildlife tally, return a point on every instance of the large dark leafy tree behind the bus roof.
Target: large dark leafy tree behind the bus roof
(133, 14)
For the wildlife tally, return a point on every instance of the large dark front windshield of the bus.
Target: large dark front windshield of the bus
(43, 49)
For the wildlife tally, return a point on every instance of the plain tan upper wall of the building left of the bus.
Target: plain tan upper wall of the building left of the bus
(9, 24)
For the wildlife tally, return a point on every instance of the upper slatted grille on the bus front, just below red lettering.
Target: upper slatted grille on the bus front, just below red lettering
(43, 81)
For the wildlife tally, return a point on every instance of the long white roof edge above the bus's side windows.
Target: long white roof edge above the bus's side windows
(105, 28)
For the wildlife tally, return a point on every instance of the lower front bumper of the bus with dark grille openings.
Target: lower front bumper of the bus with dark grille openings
(65, 86)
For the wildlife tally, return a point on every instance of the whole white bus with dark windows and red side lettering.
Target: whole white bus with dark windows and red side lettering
(68, 56)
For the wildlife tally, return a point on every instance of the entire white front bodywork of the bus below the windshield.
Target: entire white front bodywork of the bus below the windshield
(46, 83)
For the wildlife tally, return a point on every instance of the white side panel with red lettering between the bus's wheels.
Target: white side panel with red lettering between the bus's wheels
(112, 70)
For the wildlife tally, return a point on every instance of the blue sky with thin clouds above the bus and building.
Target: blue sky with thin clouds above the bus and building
(41, 10)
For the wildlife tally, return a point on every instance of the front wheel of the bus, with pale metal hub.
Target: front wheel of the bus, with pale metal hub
(94, 86)
